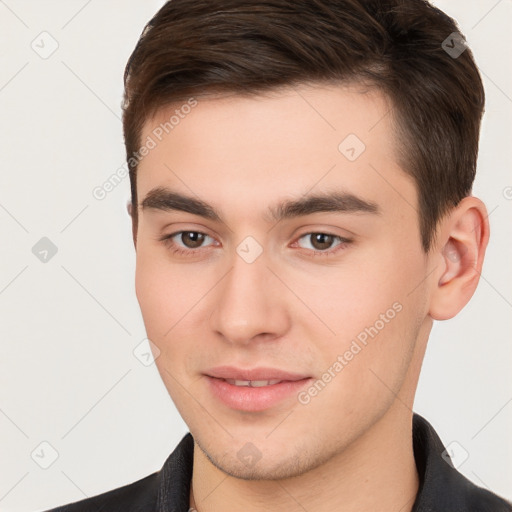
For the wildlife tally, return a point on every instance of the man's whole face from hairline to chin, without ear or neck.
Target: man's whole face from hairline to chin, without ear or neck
(255, 278)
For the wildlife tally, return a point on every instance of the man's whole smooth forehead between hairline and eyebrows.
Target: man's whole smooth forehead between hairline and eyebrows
(244, 150)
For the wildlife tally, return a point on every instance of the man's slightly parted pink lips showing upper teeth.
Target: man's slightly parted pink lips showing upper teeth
(253, 390)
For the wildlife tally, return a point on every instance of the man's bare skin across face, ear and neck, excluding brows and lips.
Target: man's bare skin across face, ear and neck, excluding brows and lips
(350, 447)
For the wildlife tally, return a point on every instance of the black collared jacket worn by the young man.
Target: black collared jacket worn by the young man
(442, 488)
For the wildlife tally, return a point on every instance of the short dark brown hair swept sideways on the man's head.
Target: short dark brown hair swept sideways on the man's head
(247, 47)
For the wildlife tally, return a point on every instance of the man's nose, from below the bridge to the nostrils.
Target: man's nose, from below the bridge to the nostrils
(249, 304)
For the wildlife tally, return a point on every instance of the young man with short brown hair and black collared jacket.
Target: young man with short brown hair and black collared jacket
(301, 177)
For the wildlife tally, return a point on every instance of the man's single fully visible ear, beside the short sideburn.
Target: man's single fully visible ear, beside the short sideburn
(459, 252)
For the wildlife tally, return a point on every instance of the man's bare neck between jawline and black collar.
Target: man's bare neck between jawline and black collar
(377, 472)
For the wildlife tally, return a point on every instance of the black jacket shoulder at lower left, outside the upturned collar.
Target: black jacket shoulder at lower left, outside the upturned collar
(139, 496)
